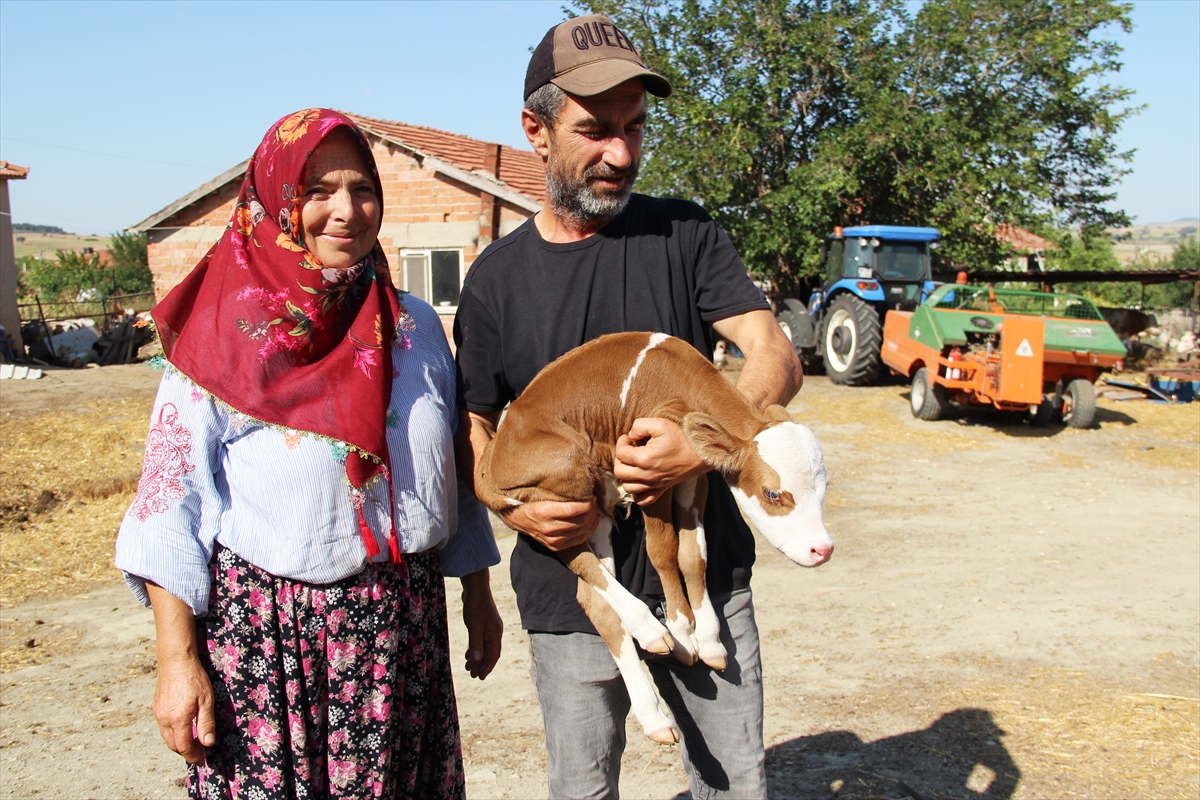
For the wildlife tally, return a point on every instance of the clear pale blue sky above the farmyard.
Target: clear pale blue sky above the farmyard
(164, 97)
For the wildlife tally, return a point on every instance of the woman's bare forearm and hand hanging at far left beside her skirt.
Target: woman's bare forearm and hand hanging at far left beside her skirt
(183, 697)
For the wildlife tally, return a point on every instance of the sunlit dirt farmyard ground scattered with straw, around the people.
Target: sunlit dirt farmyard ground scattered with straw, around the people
(1011, 612)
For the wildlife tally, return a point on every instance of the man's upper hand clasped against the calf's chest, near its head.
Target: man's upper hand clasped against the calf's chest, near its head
(653, 458)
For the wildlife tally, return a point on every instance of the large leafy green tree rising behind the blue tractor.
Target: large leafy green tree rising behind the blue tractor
(791, 117)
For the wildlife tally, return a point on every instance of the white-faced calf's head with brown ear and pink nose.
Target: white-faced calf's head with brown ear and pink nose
(778, 479)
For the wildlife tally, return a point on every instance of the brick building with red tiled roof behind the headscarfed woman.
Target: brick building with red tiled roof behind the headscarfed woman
(446, 199)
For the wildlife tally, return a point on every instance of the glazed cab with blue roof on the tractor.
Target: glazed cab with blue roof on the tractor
(887, 266)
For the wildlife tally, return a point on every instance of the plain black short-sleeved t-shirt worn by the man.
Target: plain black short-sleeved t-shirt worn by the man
(663, 266)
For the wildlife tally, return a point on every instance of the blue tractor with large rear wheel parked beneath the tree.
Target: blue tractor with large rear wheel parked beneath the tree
(869, 269)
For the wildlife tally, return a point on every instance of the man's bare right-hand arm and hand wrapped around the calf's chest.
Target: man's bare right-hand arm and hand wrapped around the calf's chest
(656, 455)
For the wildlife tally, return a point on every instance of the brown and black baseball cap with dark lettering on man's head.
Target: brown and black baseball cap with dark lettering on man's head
(586, 57)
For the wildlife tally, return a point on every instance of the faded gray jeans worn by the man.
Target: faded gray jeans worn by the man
(584, 708)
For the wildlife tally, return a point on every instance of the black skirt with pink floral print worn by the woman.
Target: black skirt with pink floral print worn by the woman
(338, 690)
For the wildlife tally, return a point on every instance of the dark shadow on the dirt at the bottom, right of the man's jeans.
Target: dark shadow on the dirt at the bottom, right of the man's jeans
(959, 756)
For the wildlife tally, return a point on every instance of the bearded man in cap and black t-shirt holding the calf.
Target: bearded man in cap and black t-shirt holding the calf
(599, 260)
